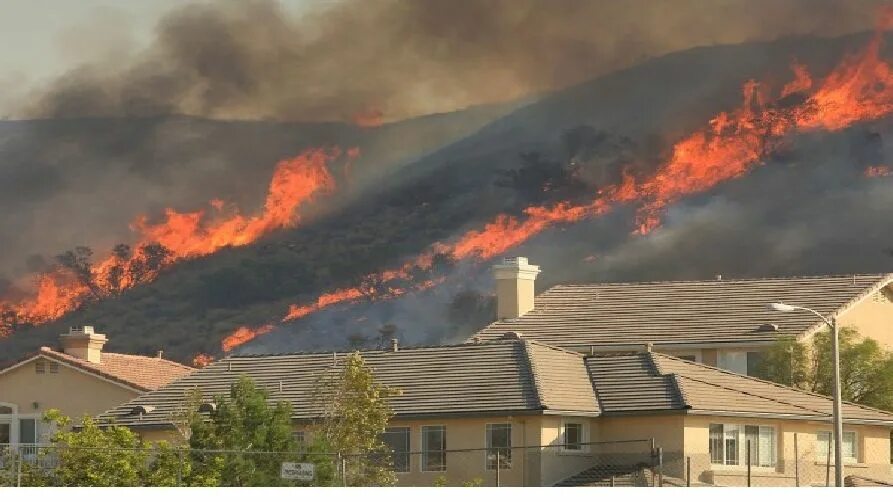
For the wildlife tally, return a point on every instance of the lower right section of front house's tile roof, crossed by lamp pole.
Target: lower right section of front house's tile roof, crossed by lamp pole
(650, 381)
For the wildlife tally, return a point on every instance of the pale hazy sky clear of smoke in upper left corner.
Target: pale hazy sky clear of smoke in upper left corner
(40, 39)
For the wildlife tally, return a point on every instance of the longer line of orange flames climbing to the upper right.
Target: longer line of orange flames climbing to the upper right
(859, 89)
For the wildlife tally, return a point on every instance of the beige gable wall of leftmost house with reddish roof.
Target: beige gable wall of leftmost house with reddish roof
(74, 392)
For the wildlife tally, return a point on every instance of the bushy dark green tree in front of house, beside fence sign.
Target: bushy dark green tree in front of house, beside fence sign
(244, 441)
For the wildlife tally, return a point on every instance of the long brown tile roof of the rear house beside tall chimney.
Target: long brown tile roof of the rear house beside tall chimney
(718, 311)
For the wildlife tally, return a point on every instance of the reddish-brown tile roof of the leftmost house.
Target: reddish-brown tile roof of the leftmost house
(140, 372)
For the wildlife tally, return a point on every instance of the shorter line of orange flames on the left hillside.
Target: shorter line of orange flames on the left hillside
(295, 182)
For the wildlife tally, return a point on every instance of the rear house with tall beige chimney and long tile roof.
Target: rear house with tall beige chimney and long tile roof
(723, 323)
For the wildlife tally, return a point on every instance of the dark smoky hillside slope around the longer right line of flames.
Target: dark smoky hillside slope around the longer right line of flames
(807, 209)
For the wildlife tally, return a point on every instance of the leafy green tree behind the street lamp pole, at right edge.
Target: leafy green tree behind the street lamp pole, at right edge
(866, 369)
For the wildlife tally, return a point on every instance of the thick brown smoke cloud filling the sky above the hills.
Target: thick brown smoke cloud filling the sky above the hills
(400, 58)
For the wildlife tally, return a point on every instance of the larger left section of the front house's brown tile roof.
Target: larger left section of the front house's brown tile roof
(499, 377)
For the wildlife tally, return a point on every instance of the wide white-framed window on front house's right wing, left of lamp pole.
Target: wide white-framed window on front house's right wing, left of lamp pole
(727, 447)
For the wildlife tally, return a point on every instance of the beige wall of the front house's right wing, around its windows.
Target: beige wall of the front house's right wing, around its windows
(872, 444)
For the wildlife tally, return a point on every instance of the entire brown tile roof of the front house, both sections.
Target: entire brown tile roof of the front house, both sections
(502, 378)
